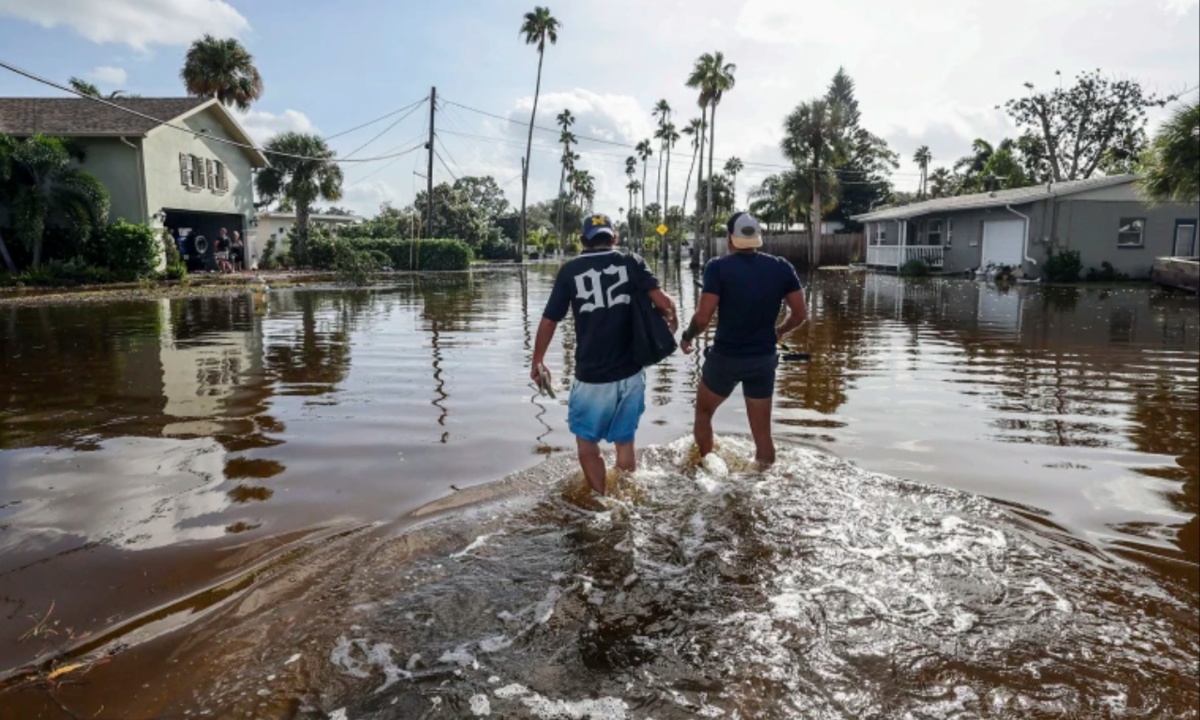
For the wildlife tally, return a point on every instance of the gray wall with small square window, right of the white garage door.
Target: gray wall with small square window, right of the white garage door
(1091, 227)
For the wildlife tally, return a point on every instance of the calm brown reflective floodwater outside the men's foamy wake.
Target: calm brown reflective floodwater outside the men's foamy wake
(149, 451)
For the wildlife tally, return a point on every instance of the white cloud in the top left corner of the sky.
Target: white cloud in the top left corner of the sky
(136, 23)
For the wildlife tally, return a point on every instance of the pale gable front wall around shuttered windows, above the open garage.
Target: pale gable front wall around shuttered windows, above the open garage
(165, 188)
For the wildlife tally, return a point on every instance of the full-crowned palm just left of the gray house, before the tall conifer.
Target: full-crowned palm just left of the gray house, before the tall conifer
(814, 141)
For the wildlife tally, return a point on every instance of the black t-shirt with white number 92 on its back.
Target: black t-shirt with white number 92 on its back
(597, 289)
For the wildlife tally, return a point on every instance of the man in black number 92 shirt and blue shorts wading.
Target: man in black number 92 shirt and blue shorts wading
(608, 397)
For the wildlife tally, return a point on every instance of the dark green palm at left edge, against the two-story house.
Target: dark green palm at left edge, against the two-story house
(40, 177)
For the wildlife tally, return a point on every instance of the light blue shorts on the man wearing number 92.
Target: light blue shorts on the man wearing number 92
(608, 411)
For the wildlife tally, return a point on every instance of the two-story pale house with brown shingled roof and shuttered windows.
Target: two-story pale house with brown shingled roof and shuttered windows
(155, 175)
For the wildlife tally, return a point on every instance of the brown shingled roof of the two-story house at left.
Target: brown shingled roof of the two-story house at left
(80, 117)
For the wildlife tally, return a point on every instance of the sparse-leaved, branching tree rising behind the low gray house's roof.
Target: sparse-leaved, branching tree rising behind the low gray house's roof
(1083, 127)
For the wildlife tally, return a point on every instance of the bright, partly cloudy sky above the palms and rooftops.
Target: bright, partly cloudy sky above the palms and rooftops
(928, 73)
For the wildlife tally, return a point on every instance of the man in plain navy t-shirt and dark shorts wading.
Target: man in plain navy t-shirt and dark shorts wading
(746, 290)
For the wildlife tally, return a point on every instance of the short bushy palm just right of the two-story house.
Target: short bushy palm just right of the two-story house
(305, 175)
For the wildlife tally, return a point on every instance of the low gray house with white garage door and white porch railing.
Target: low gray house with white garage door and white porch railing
(1105, 219)
